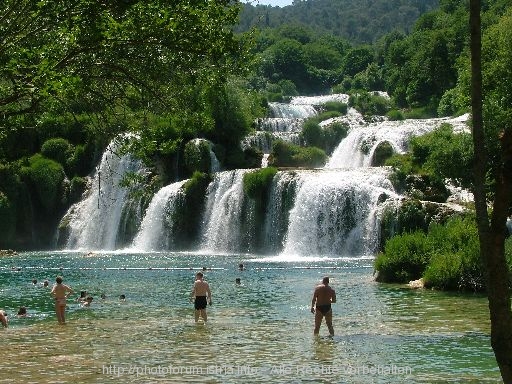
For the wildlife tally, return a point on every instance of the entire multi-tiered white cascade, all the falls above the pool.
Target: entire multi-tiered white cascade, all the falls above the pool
(329, 211)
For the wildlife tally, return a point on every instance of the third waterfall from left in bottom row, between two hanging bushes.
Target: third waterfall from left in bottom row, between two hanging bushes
(226, 224)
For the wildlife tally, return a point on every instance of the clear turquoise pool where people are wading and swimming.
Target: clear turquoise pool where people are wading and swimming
(258, 332)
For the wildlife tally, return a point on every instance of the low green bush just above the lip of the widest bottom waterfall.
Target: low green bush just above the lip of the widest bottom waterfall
(289, 155)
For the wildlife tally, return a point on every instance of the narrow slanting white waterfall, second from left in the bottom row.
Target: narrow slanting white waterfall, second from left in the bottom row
(155, 232)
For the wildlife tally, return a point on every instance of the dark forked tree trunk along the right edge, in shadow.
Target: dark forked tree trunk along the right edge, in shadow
(491, 227)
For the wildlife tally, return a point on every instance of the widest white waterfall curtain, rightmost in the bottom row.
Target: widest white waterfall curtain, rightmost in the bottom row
(335, 212)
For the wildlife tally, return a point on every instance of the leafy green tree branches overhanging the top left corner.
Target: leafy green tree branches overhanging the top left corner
(102, 56)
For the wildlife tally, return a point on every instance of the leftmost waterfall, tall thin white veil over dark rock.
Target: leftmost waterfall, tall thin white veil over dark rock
(93, 223)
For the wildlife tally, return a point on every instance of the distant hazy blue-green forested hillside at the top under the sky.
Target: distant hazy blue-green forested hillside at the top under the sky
(359, 21)
